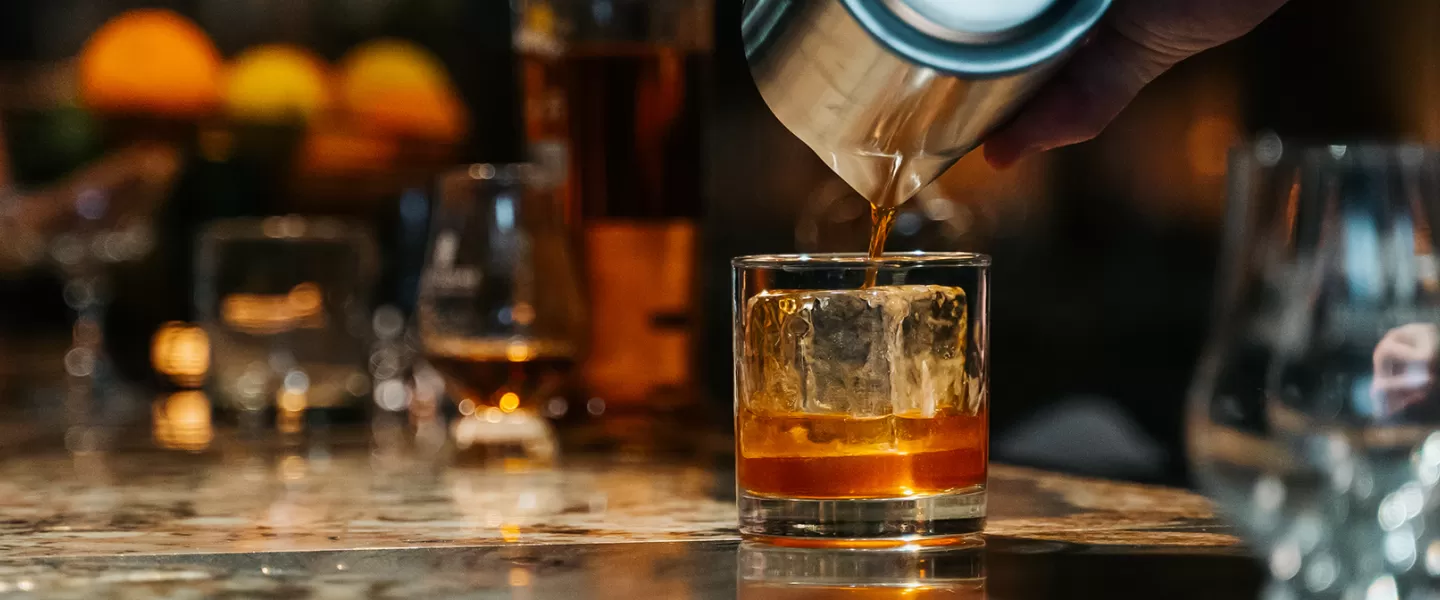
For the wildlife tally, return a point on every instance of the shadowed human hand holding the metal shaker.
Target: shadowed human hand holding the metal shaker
(1135, 44)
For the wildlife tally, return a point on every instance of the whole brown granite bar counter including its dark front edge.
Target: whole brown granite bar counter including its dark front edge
(348, 523)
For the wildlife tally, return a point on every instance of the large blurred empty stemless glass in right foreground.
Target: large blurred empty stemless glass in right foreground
(1315, 414)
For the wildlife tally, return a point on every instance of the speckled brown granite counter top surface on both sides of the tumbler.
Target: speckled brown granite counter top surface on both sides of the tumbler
(174, 503)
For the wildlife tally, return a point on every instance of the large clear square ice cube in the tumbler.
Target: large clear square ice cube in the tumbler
(865, 353)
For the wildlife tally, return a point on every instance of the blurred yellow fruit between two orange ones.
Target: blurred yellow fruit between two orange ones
(277, 83)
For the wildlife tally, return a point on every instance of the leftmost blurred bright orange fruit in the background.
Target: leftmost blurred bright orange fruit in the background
(150, 61)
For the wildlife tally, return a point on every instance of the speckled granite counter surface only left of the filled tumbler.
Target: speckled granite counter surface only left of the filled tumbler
(174, 503)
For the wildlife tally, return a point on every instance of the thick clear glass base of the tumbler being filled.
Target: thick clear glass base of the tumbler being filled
(960, 513)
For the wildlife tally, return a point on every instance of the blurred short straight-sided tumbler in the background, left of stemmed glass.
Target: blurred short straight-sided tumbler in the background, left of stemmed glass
(286, 306)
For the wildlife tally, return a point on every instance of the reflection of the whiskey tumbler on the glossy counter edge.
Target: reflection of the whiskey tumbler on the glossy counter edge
(780, 573)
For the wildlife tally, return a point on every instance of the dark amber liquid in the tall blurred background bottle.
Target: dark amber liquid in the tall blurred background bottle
(633, 120)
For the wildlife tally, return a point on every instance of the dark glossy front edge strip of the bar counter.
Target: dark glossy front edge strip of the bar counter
(999, 569)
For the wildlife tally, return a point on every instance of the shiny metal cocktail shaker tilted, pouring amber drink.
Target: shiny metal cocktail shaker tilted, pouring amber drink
(892, 93)
